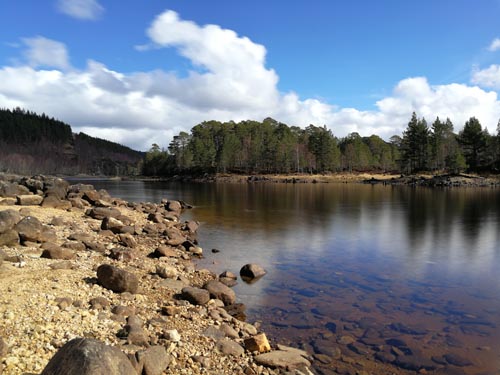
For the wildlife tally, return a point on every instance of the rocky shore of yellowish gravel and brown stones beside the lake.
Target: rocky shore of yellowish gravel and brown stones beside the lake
(93, 284)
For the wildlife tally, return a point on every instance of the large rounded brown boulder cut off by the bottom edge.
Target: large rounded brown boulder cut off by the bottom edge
(89, 357)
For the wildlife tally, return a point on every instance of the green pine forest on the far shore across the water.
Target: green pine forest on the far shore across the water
(274, 147)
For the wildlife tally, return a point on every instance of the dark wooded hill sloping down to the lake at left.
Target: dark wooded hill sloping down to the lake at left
(32, 144)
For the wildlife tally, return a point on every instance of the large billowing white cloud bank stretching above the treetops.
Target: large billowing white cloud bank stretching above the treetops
(229, 80)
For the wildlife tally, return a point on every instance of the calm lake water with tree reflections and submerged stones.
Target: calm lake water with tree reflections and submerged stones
(355, 262)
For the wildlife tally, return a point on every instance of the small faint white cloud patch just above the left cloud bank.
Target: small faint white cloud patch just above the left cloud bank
(46, 52)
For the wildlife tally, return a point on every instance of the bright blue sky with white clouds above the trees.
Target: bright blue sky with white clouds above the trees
(139, 72)
